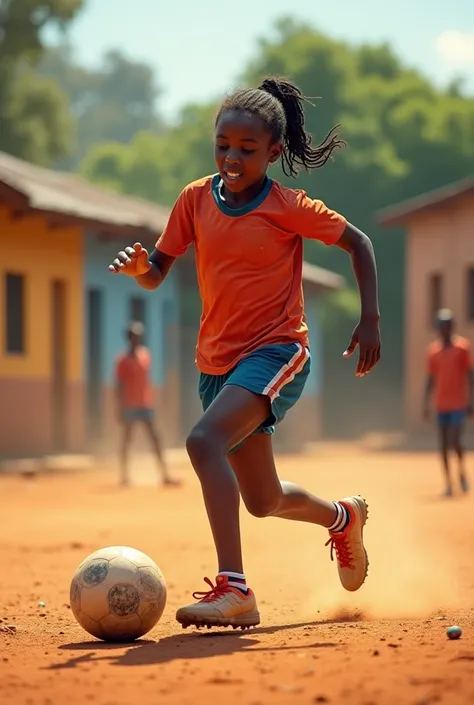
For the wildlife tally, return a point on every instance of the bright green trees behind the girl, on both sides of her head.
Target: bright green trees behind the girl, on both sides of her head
(404, 136)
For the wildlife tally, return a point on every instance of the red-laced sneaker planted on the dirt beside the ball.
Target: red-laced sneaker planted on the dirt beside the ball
(221, 606)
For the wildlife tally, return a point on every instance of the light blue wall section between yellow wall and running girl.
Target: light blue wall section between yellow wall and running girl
(117, 292)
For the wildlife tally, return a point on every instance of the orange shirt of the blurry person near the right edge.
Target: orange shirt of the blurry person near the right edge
(450, 366)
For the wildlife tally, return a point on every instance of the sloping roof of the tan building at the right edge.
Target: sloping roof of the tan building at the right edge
(401, 212)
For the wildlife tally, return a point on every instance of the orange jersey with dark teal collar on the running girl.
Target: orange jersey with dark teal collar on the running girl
(249, 265)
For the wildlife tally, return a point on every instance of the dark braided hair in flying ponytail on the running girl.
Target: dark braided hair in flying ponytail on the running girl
(279, 103)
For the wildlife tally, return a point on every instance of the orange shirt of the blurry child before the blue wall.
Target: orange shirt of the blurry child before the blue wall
(133, 373)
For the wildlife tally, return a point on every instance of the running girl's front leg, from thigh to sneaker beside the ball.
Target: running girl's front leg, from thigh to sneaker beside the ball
(232, 416)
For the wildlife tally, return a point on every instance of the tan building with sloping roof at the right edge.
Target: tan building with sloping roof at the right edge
(439, 272)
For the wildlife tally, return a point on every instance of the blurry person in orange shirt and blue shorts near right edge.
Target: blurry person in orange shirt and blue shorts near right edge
(450, 377)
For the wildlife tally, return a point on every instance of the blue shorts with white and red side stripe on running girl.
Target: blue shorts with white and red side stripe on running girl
(277, 371)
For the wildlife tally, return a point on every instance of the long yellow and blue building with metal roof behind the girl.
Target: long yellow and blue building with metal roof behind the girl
(63, 317)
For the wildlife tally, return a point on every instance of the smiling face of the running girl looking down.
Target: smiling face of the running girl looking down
(243, 150)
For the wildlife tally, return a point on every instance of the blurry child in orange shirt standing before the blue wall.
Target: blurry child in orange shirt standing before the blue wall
(134, 400)
